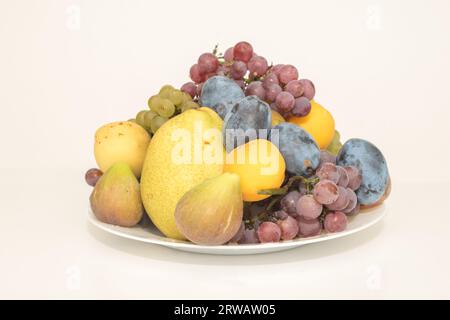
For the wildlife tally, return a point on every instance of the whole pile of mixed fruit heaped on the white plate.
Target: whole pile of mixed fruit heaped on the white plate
(242, 154)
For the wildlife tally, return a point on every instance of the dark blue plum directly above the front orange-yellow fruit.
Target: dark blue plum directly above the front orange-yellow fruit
(250, 118)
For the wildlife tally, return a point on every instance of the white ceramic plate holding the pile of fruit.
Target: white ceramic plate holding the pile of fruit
(150, 234)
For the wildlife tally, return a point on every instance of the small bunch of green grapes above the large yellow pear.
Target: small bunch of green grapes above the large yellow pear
(168, 103)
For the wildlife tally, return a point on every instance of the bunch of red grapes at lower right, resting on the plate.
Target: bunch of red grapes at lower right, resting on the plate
(323, 203)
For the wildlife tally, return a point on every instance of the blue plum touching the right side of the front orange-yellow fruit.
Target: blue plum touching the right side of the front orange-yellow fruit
(299, 150)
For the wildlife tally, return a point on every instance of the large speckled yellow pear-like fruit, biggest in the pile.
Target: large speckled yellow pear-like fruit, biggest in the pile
(184, 152)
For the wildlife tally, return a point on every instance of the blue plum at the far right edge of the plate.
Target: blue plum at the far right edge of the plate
(372, 164)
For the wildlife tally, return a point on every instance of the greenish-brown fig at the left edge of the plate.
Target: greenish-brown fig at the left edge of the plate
(116, 198)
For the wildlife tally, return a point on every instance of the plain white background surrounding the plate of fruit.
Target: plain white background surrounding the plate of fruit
(66, 67)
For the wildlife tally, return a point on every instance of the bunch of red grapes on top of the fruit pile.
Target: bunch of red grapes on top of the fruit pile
(279, 85)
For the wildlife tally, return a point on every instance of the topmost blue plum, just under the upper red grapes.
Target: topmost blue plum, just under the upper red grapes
(220, 94)
